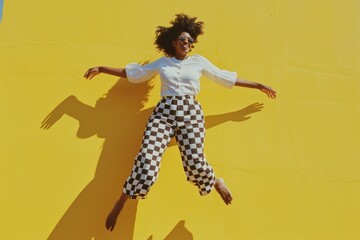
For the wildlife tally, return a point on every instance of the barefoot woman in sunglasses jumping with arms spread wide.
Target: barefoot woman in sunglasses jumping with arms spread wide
(177, 113)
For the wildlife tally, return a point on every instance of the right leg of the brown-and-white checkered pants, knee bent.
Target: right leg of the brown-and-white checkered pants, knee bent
(190, 137)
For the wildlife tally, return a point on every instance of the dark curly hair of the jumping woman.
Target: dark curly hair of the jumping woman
(166, 35)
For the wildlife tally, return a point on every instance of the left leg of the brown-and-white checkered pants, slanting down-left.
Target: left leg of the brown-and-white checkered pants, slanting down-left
(157, 135)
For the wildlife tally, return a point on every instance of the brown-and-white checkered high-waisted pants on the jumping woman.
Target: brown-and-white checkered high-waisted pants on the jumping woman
(182, 117)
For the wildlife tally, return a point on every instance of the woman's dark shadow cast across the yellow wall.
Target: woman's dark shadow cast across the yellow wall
(118, 119)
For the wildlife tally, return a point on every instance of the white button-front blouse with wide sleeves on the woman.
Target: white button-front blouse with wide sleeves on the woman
(180, 77)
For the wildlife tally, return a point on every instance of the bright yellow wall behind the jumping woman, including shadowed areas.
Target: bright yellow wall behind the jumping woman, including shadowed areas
(293, 167)
